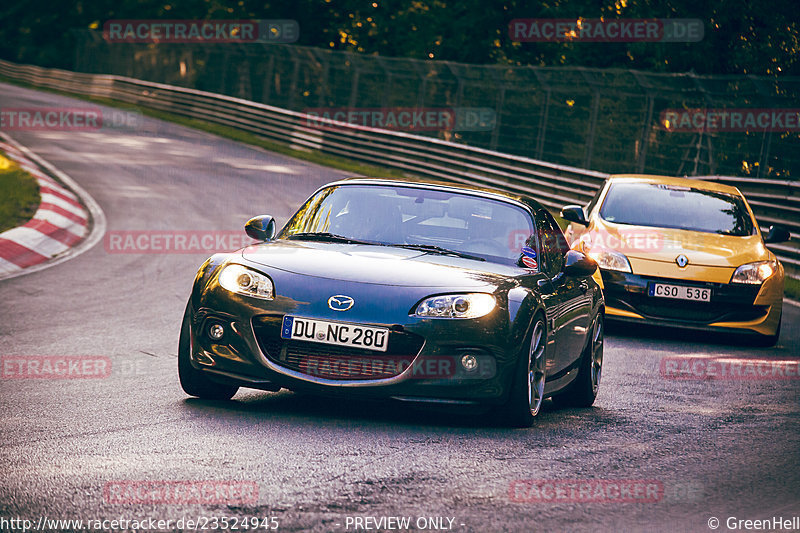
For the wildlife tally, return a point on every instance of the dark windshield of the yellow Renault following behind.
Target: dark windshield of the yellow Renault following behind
(668, 206)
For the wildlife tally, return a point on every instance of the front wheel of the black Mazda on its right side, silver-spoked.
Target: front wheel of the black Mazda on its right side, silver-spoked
(527, 388)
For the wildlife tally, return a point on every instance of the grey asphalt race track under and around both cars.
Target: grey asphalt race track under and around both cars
(716, 448)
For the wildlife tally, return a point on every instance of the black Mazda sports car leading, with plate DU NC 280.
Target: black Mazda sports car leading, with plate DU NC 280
(420, 292)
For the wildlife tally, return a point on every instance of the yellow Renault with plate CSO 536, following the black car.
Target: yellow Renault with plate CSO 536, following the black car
(685, 252)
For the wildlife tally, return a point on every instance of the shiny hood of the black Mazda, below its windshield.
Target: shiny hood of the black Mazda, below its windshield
(384, 265)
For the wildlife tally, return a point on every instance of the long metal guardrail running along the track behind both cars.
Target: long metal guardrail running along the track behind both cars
(552, 185)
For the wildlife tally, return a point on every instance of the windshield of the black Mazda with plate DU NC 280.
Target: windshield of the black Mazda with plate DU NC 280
(410, 216)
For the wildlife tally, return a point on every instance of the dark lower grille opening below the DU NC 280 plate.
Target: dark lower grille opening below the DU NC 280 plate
(336, 362)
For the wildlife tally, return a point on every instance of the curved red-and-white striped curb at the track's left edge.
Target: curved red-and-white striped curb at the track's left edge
(59, 229)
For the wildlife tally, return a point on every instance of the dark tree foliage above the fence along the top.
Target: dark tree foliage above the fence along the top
(741, 37)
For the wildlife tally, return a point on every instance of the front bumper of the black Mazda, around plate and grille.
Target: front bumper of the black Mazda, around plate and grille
(422, 363)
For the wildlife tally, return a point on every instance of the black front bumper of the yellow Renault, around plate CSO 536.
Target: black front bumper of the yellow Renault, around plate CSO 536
(732, 306)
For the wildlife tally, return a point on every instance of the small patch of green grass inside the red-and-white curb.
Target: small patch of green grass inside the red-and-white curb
(19, 194)
